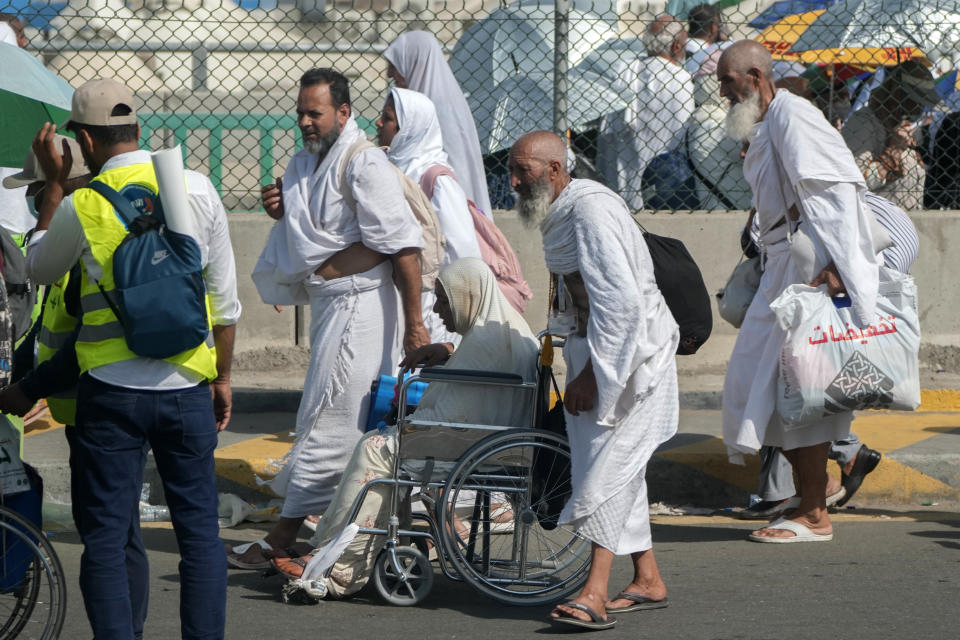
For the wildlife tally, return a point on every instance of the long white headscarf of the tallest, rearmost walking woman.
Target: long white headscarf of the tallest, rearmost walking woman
(417, 56)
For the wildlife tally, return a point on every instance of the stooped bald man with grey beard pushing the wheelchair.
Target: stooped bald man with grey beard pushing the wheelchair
(621, 396)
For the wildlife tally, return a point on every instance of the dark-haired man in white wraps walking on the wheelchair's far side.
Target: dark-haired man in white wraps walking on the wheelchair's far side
(343, 259)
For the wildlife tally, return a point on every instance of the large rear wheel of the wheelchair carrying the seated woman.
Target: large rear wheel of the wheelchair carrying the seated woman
(508, 544)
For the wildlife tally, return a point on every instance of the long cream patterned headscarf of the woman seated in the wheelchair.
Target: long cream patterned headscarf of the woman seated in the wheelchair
(495, 338)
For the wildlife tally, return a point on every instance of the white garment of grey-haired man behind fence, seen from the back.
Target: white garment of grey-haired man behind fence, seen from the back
(653, 122)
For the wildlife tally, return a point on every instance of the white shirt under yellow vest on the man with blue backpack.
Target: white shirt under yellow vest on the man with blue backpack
(53, 252)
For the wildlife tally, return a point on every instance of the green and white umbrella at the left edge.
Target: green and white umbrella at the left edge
(30, 94)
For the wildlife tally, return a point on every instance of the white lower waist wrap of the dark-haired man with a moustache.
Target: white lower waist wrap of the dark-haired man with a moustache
(355, 336)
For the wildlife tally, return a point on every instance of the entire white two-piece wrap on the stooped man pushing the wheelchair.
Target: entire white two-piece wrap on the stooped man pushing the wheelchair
(631, 339)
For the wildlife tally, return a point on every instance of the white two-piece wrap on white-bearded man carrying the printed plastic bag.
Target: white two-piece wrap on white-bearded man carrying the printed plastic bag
(818, 173)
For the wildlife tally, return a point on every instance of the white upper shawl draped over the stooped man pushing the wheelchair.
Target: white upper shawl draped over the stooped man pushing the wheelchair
(631, 332)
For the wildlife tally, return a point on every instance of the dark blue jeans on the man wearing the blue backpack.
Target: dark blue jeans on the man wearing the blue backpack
(115, 428)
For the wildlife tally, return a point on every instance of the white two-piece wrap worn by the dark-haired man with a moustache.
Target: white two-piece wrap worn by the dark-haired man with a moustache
(355, 329)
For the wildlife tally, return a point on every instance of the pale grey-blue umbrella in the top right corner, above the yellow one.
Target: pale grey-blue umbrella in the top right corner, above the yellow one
(932, 26)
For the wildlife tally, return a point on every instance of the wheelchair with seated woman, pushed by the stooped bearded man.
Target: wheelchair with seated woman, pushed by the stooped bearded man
(497, 492)
